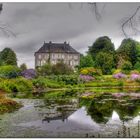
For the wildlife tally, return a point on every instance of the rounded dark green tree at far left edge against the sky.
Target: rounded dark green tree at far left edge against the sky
(8, 57)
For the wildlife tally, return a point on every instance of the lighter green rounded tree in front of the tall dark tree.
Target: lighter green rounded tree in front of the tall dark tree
(105, 62)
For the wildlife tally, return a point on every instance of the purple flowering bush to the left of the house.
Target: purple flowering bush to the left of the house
(29, 73)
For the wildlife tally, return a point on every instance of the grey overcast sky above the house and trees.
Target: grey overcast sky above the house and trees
(34, 23)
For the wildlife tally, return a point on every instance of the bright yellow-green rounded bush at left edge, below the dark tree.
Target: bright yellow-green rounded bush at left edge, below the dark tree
(9, 71)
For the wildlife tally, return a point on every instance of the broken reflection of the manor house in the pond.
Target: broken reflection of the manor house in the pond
(52, 111)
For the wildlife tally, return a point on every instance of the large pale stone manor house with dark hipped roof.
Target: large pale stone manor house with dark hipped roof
(56, 52)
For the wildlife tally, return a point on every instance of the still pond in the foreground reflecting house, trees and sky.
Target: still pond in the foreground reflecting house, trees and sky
(105, 115)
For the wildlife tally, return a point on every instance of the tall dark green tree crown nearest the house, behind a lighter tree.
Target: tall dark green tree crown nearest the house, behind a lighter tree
(102, 44)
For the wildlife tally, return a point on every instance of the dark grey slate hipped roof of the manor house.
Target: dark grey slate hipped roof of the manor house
(56, 48)
